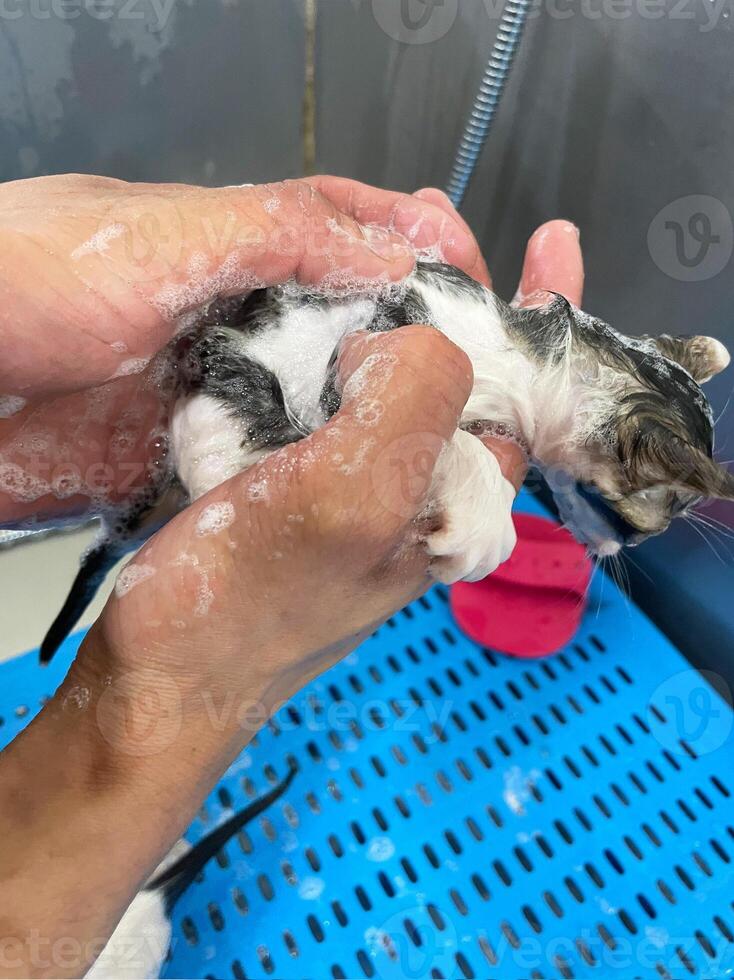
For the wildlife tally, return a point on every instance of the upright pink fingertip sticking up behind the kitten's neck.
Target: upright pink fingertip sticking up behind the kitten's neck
(553, 262)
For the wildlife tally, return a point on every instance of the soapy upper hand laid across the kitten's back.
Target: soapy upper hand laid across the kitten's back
(96, 272)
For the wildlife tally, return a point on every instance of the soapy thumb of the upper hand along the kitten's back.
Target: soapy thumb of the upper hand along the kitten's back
(234, 239)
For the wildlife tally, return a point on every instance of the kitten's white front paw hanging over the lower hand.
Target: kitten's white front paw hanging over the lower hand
(473, 502)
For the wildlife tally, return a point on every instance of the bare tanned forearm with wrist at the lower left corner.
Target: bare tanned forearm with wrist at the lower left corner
(94, 793)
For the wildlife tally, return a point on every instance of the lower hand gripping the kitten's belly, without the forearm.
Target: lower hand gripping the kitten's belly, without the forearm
(344, 508)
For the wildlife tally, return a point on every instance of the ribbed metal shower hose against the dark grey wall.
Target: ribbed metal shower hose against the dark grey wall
(488, 98)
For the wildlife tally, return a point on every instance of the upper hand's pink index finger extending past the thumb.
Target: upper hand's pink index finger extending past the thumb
(426, 224)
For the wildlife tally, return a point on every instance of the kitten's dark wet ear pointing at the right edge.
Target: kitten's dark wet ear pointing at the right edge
(662, 458)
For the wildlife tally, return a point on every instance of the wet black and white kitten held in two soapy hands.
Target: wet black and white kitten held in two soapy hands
(619, 426)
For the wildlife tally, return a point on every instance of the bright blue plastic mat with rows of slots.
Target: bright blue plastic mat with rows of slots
(461, 814)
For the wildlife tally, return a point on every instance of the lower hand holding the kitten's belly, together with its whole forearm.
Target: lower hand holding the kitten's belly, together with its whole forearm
(236, 603)
